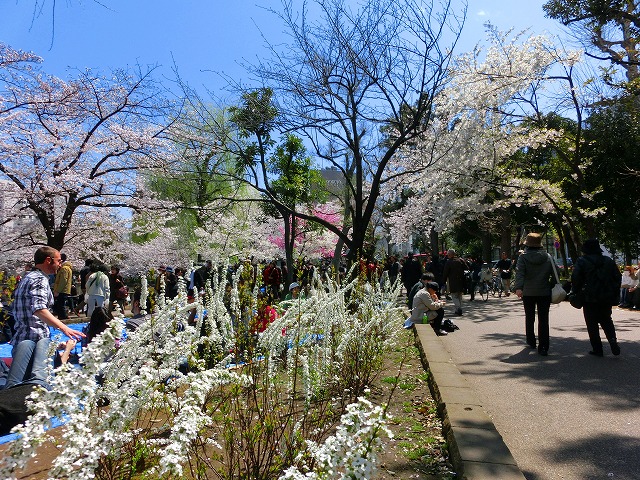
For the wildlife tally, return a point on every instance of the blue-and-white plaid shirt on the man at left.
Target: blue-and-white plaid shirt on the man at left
(32, 294)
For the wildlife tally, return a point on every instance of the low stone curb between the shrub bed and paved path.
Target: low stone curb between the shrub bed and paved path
(476, 448)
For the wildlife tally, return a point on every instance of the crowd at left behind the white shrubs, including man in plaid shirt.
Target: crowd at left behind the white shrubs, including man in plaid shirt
(44, 292)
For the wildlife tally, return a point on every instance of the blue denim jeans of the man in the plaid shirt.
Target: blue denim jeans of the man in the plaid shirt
(29, 362)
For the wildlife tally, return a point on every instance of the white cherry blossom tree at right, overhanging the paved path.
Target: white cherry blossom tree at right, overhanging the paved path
(491, 110)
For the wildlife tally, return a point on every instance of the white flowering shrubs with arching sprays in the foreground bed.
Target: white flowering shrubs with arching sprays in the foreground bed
(196, 392)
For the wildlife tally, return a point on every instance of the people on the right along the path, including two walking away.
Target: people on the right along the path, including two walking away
(596, 280)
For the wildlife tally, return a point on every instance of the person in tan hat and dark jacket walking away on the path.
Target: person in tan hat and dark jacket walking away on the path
(533, 285)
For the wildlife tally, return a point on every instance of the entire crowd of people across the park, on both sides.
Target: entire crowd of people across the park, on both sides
(49, 289)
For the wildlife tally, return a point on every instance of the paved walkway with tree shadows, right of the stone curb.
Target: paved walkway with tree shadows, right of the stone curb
(567, 416)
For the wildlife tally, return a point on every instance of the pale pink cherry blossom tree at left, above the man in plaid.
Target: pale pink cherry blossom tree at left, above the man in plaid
(73, 145)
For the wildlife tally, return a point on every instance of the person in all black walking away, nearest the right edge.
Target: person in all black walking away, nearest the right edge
(598, 279)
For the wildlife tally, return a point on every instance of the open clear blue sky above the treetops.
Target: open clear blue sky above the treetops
(201, 36)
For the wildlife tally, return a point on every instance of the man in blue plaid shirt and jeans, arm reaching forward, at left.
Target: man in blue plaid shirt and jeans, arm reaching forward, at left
(32, 319)
